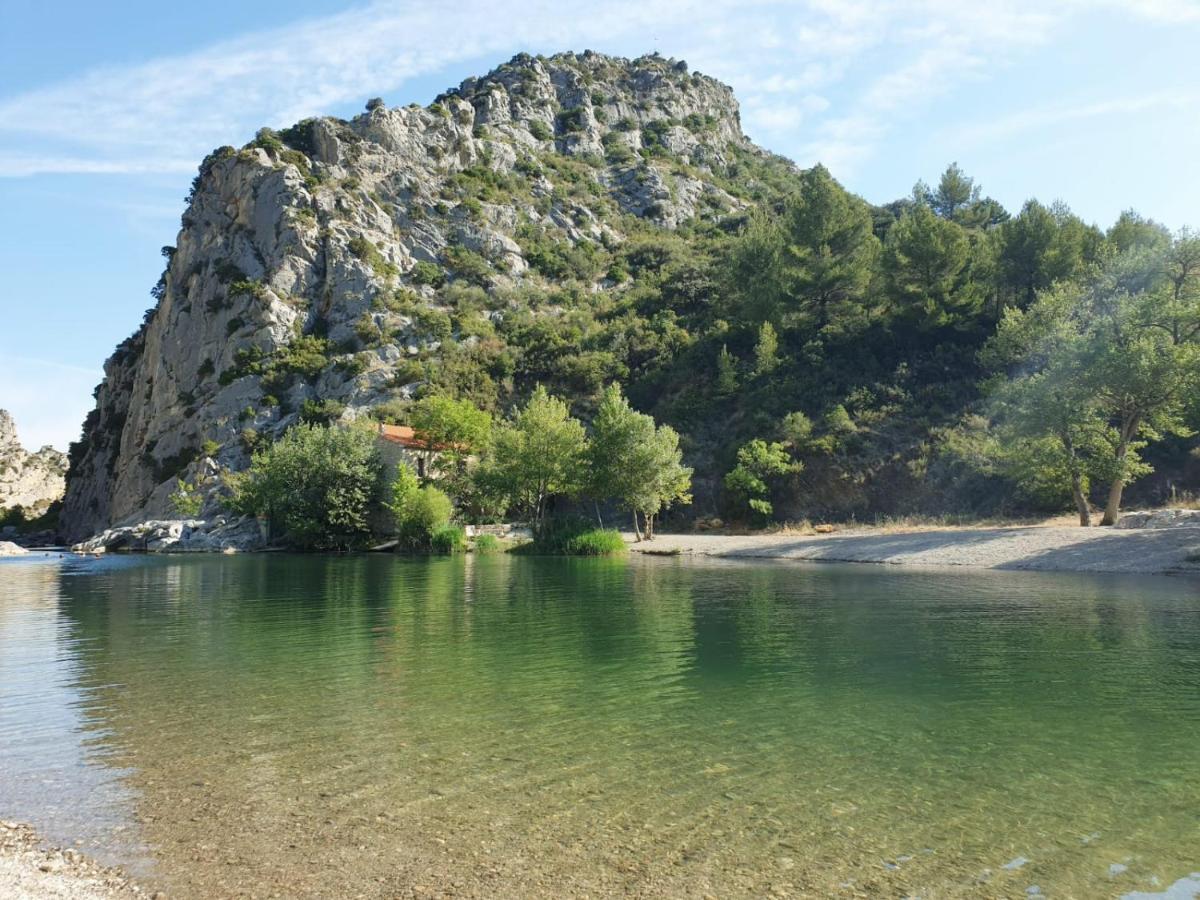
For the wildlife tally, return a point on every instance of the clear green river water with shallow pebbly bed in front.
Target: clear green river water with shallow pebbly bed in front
(496, 727)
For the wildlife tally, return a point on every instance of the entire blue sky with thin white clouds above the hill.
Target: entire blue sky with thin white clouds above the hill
(106, 111)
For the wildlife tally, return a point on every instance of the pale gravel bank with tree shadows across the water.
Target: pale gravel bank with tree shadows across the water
(1052, 548)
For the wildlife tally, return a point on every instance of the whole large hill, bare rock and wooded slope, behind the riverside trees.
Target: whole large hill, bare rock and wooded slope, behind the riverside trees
(568, 224)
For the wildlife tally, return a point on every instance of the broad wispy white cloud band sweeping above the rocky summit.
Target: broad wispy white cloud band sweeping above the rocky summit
(884, 61)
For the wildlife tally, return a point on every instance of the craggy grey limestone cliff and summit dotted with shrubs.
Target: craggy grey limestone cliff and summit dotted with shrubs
(305, 278)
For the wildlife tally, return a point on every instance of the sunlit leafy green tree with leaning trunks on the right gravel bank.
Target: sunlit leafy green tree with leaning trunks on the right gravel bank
(1099, 370)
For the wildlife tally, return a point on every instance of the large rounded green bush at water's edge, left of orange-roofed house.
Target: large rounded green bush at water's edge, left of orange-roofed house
(316, 487)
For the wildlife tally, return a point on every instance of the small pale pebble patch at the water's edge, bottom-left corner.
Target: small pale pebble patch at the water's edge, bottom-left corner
(33, 872)
